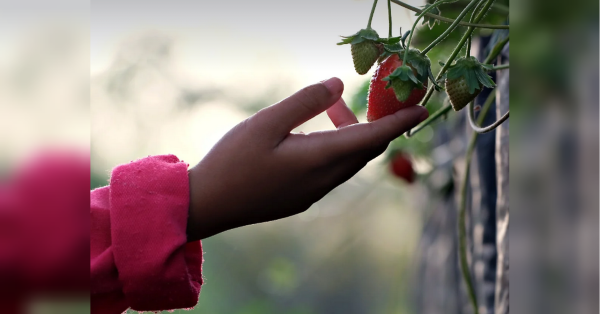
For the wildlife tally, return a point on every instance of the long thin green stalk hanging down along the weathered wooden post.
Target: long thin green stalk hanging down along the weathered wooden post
(462, 212)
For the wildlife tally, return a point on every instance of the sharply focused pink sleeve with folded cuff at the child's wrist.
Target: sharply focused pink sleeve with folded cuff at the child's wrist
(139, 253)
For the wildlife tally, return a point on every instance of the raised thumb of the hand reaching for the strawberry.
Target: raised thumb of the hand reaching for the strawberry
(300, 107)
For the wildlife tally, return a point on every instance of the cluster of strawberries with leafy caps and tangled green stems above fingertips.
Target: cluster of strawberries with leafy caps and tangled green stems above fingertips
(406, 71)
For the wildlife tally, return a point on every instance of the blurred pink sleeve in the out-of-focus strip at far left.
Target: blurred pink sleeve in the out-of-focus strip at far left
(44, 228)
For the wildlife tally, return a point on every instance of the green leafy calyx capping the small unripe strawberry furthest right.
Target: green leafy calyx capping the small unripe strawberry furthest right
(473, 72)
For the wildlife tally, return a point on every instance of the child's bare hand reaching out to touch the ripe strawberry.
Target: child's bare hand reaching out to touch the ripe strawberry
(259, 171)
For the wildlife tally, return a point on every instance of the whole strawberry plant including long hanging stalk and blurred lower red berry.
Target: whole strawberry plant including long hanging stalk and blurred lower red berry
(403, 77)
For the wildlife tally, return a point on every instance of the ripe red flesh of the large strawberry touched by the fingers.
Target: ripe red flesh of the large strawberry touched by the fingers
(382, 101)
